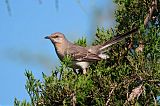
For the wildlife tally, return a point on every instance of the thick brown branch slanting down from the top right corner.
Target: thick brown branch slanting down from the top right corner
(151, 11)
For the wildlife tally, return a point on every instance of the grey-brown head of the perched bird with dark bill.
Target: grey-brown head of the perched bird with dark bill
(56, 37)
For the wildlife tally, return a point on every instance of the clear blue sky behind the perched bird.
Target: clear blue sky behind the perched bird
(22, 43)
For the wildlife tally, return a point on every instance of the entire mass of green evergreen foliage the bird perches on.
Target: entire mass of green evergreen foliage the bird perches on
(130, 77)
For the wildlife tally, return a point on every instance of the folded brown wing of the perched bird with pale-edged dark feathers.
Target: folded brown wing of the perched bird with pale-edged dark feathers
(79, 53)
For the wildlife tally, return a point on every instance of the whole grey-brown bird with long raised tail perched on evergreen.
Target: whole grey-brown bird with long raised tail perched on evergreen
(82, 57)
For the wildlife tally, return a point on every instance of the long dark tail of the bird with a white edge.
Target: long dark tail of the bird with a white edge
(117, 39)
